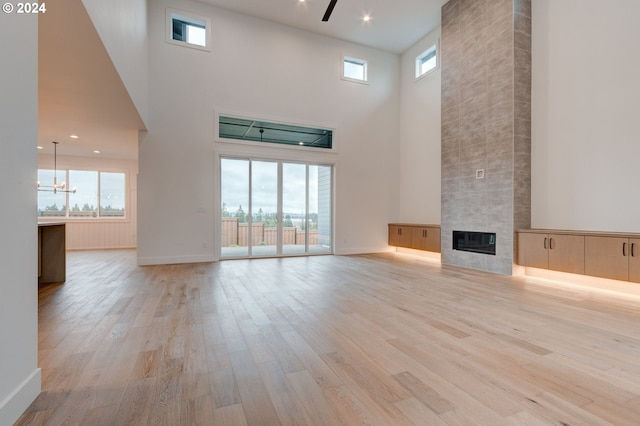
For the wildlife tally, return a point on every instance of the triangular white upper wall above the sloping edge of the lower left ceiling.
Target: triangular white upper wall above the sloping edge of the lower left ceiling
(122, 26)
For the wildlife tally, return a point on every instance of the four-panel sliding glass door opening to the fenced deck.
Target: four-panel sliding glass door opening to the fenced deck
(275, 208)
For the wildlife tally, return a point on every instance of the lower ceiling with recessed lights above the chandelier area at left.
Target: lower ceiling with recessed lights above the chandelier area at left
(79, 89)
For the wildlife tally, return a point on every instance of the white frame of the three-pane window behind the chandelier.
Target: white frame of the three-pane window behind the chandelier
(67, 216)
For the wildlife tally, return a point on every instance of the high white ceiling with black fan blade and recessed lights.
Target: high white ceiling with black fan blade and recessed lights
(395, 25)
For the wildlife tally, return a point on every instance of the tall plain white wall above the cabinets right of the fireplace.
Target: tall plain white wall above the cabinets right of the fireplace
(585, 113)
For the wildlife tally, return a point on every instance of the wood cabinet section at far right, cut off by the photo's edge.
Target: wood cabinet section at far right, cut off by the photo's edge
(617, 258)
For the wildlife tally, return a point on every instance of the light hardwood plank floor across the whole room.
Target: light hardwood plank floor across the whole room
(379, 339)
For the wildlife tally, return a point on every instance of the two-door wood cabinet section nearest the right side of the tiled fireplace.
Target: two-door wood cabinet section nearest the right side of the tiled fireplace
(558, 252)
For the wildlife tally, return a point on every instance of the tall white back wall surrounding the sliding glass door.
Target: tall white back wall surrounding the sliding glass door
(259, 68)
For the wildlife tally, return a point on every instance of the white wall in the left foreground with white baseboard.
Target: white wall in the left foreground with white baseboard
(19, 372)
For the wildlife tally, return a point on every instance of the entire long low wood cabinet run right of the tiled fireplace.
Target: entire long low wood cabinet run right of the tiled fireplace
(599, 254)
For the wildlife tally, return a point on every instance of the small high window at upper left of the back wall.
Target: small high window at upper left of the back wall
(188, 30)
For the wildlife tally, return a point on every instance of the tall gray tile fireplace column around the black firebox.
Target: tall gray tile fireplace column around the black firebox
(486, 125)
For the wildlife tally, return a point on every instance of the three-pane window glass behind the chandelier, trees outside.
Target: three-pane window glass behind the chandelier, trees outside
(98, 194)
